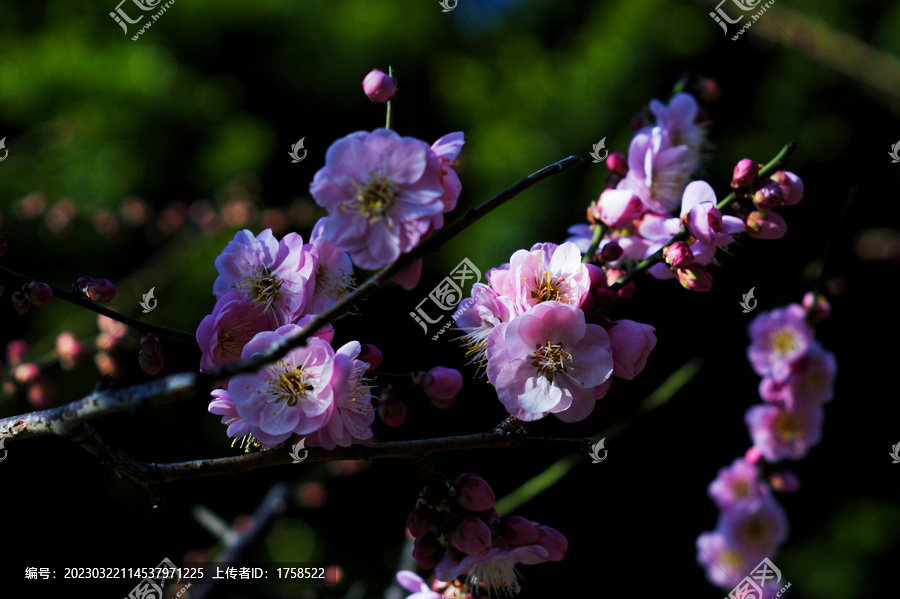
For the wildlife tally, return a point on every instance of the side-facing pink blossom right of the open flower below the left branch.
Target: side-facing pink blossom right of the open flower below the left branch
(353, 412)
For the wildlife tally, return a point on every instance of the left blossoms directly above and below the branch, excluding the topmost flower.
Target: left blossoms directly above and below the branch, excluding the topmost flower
(268, 289)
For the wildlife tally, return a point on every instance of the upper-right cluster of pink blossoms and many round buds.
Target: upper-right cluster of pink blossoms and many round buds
(636, 214)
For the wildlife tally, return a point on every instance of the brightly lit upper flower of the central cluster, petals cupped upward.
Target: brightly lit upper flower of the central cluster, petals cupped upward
(549, 273)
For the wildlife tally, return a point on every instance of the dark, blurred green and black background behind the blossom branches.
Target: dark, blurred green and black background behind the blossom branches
(195, 119)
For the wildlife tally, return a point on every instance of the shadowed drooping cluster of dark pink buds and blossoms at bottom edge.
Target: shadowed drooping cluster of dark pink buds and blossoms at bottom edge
(459, 534)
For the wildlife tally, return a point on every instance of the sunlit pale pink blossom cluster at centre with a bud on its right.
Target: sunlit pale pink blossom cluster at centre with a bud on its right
(529, 328)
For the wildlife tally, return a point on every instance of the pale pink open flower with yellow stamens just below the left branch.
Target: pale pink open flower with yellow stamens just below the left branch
(292, 396)
